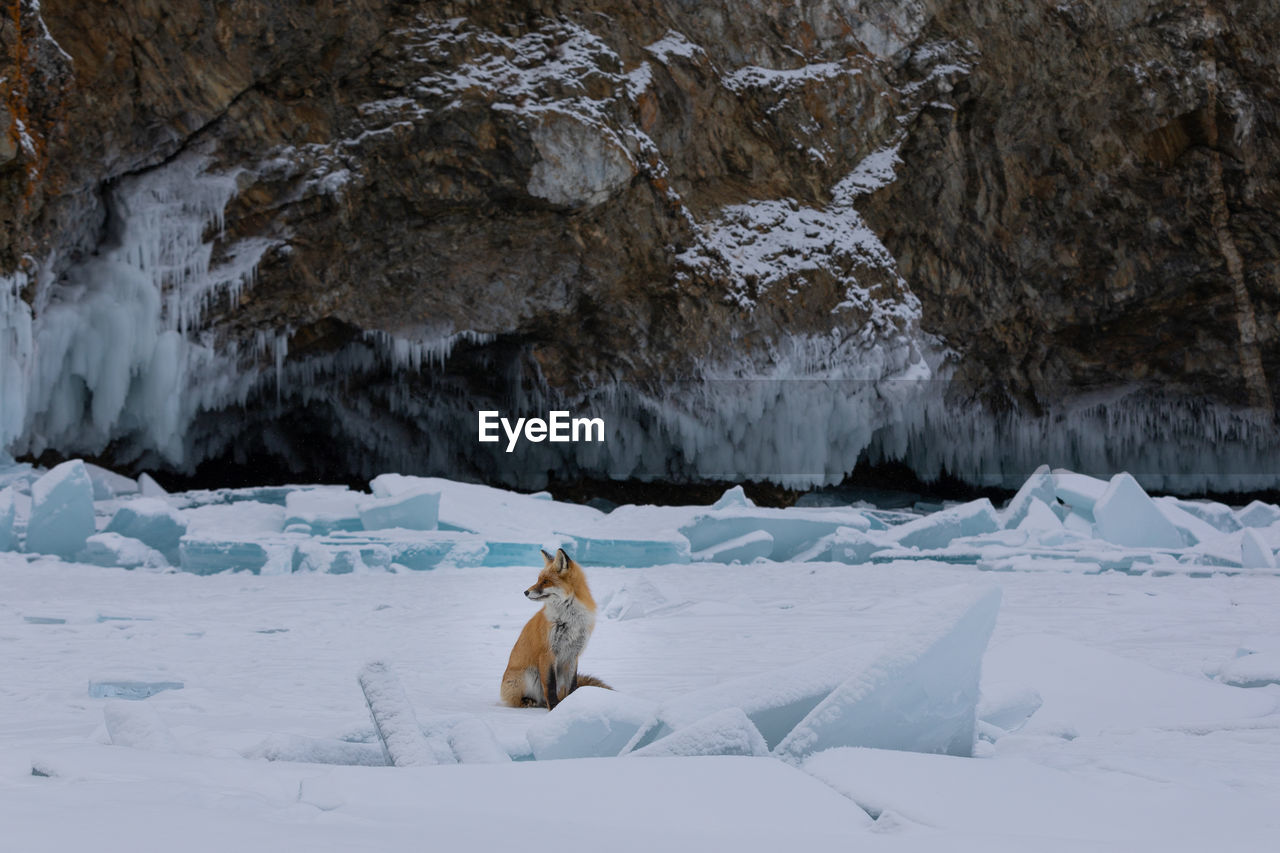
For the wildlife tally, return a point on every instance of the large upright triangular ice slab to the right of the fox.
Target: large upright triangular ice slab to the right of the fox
(920, 695)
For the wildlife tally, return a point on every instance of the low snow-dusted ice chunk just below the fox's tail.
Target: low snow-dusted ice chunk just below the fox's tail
(591, 722)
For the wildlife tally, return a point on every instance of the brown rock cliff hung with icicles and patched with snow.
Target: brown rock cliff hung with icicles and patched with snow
(765, 240)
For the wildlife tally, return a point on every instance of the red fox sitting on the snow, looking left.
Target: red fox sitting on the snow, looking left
(543, 667)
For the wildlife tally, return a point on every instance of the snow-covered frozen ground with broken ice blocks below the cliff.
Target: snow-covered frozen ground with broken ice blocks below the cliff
(1113, 713)
